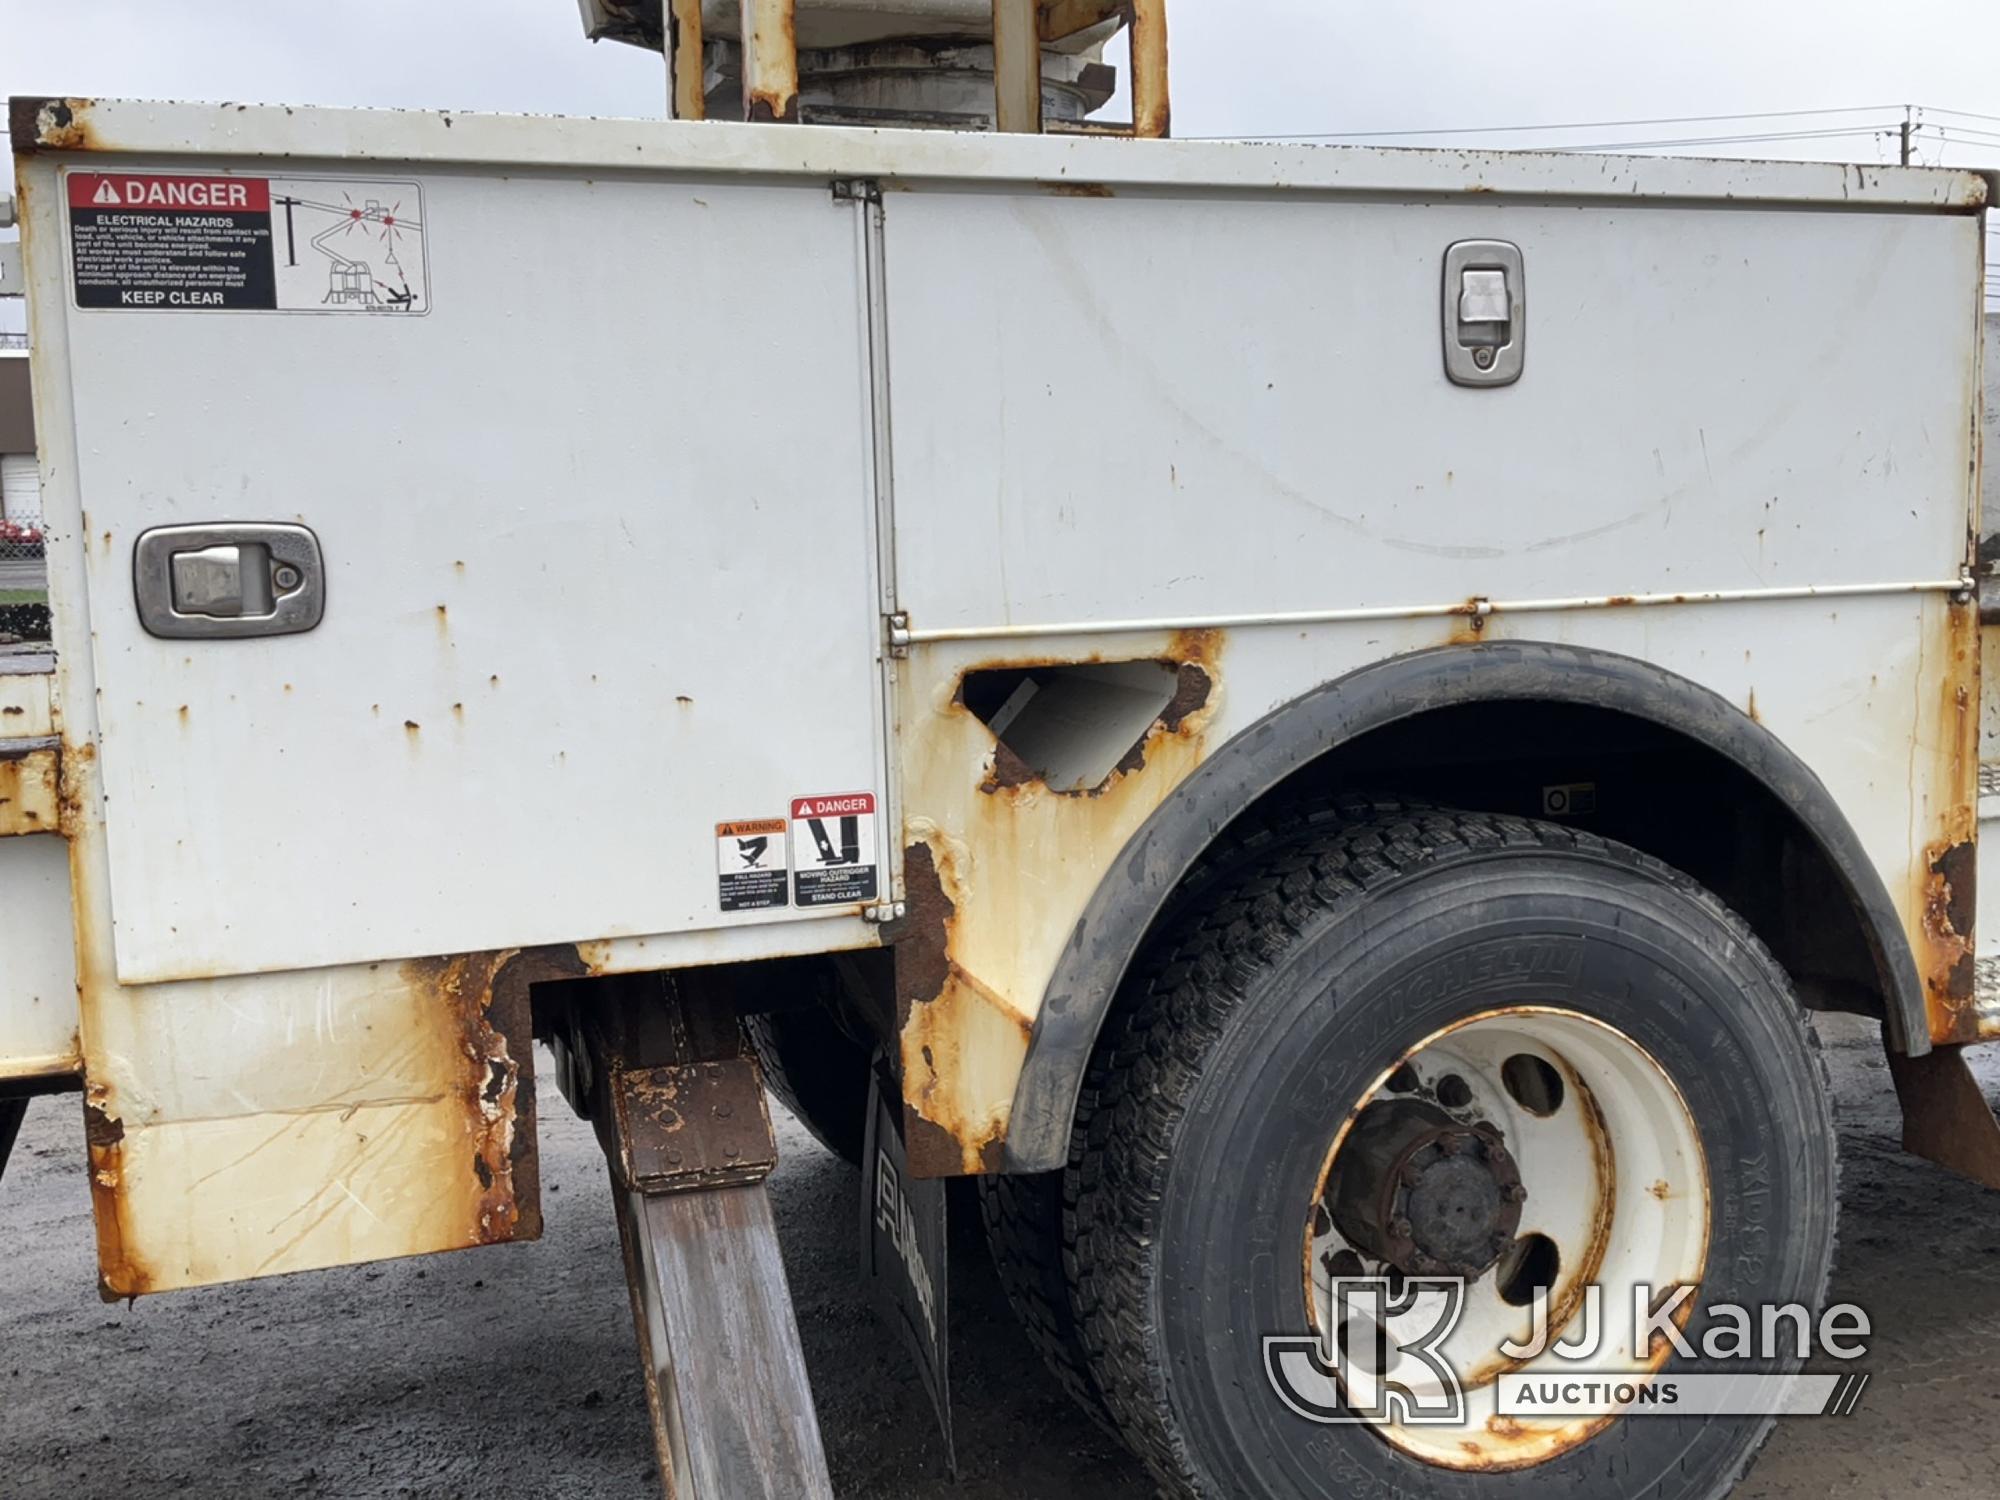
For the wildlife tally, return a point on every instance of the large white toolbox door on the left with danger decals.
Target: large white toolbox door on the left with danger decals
(595, 509)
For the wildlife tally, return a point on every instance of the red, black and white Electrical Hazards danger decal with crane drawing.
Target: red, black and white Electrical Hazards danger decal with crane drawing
(181, 243)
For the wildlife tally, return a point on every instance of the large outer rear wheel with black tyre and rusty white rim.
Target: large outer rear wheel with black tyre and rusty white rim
(1443, 1045)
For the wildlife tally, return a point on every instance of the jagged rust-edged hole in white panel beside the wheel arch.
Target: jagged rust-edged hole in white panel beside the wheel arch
(1073, 727)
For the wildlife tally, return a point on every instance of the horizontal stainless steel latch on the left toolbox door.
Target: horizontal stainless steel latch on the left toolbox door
(213, 583)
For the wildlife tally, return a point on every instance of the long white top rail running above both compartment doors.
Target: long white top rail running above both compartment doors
(703, 149)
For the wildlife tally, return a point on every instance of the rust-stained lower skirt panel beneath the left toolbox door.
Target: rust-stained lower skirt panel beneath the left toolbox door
(367, 1113)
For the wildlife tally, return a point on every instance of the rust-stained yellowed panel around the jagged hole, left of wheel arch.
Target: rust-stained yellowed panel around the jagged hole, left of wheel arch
(997, 871)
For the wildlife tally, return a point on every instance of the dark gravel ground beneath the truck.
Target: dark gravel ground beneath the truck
(513, 1371)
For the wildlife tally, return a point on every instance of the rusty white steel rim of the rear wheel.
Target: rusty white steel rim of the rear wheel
(1615, 1181)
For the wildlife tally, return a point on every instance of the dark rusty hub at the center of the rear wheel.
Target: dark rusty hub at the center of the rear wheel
(1427, 1193)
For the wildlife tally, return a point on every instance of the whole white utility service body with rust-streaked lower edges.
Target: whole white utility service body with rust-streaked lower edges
(657, 489)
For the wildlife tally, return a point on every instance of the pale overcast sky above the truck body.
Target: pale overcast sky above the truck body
(1239, 67)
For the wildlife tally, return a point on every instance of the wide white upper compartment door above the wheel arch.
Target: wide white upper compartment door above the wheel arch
(1207, 441)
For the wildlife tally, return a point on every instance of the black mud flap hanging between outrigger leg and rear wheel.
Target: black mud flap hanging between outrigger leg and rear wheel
(903, 1251)
